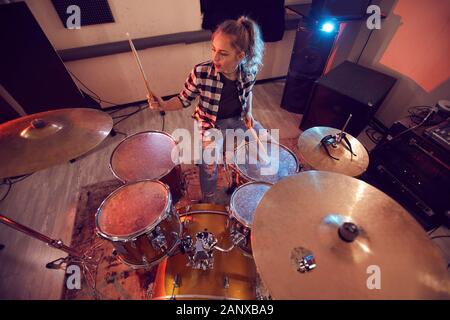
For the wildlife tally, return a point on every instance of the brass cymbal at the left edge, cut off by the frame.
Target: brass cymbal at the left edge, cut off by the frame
(45, 139)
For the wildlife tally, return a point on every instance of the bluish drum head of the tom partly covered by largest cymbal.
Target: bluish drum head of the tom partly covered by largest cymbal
(245, 199)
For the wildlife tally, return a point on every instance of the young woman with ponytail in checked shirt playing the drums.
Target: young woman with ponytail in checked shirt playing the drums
(224, 87)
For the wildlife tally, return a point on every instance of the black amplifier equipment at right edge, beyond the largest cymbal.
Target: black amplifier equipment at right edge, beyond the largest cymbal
(414, 170)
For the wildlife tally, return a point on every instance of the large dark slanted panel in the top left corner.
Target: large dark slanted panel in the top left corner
(31, 70)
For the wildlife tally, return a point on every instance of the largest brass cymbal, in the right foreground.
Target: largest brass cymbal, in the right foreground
(301, 217)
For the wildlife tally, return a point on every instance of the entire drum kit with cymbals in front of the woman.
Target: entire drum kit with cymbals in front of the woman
(306, 234)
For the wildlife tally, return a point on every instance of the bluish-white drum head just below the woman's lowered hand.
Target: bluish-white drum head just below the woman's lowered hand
(282, 163)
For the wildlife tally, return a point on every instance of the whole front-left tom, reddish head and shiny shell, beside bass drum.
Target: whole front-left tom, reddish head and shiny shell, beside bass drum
(140, 221)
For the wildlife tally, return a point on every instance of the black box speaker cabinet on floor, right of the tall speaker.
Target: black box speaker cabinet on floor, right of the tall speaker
(347, 89)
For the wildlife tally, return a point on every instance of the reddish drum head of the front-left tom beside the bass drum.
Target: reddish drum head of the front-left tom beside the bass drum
(132, 209)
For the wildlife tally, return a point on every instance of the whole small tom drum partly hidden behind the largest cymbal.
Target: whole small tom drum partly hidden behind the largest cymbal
(243, 203)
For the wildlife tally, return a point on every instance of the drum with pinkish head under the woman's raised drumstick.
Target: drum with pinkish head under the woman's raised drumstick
(148, 156)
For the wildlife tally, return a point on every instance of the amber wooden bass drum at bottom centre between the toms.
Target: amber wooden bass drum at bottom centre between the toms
(233, 275)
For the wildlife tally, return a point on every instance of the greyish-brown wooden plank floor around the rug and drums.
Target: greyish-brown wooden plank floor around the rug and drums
(46, 201)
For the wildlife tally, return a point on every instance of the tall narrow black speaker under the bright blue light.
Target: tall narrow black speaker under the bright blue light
(312, 48)
